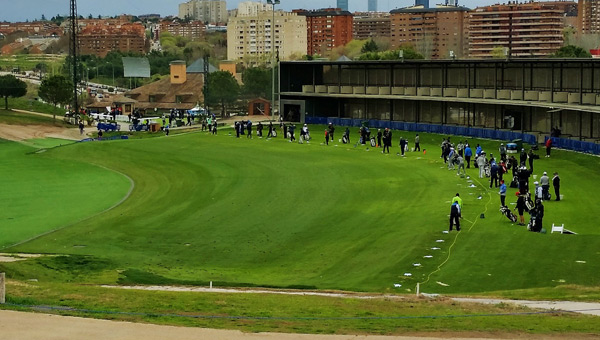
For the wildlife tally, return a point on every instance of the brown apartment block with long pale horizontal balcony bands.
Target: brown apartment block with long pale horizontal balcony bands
(518, 30)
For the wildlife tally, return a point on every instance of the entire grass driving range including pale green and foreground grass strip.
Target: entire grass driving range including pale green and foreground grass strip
(193, 208)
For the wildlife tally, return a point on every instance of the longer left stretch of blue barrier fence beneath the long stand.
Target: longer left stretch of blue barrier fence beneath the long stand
(429, 128)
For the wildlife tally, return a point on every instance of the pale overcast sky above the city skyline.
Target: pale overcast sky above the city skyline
(21, 10)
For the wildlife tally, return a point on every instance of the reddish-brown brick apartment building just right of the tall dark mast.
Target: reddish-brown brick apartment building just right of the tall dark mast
(100, 39)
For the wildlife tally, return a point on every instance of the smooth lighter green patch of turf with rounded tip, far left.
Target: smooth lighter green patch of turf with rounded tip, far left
(41, 194)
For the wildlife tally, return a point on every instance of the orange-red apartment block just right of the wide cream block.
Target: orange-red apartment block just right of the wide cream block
(326, 29)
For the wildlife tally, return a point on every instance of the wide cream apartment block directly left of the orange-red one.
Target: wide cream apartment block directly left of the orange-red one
(256, 37)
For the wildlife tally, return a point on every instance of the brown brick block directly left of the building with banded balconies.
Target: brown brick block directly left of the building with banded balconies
(437, 33)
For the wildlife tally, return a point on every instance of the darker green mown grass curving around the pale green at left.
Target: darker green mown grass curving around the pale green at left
(279, 214)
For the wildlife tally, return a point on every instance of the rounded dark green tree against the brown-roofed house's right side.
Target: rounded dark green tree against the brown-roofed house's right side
(223, 89)
